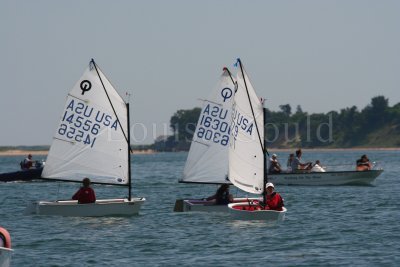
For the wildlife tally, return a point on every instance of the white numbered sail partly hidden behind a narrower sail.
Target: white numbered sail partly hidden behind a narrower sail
(207, 160)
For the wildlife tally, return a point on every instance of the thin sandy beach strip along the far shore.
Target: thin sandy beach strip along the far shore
(17, 152)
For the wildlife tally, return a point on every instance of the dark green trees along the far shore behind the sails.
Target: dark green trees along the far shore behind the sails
(376, 125)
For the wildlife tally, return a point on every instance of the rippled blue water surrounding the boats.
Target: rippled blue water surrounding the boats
(324, 226)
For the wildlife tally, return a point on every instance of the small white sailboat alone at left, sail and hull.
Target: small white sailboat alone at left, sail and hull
(92, 140)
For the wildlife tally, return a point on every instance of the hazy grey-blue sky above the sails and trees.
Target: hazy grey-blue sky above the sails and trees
(321, 55)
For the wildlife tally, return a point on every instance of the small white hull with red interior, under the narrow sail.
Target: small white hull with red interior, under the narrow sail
(265, 215)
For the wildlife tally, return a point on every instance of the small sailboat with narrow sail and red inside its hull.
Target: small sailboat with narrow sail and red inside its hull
(247, 151)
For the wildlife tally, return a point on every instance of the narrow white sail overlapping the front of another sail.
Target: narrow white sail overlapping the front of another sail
(246, 159)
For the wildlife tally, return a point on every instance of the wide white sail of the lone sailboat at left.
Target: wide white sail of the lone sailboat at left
(90, 140)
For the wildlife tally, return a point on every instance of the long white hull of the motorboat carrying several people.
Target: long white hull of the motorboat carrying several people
(325, 178)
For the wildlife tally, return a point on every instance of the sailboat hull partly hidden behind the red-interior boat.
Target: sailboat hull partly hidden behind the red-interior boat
(187, 205)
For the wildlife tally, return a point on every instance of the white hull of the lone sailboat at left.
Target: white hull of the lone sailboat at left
(104, 207)
